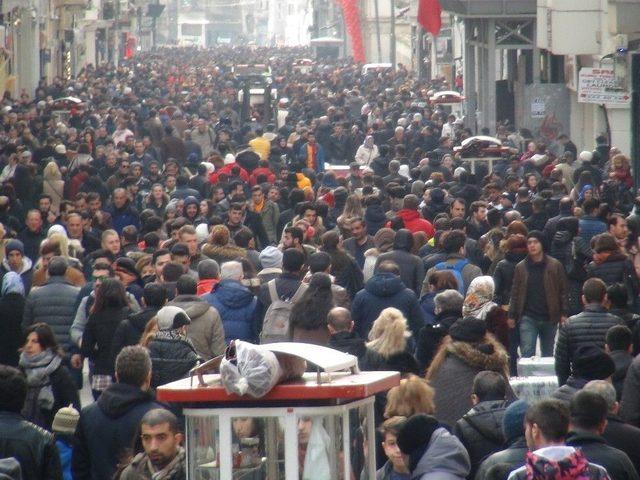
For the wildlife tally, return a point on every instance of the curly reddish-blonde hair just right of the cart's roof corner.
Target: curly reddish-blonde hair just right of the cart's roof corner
(413, 395)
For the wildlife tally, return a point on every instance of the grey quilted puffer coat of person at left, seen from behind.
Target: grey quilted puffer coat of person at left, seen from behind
(53, 304)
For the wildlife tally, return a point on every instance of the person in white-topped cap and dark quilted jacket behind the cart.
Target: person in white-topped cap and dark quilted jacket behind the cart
(172, 353)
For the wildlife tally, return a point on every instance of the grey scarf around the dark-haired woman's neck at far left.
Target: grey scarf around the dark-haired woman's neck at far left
(38, 369)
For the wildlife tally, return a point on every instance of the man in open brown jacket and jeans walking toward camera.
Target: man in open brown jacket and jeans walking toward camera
(538, 298)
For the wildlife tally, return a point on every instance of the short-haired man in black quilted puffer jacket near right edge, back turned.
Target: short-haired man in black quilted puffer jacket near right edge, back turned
(587, 328)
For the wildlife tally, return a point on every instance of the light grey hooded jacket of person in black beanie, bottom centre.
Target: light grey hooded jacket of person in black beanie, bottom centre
(444, 459)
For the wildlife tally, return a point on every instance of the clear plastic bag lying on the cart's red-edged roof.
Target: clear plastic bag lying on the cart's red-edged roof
(247, 369)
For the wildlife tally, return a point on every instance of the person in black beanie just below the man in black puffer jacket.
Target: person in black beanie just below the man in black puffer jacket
(589, 363)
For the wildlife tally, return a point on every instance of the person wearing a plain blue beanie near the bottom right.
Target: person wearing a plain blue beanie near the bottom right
(513, 431)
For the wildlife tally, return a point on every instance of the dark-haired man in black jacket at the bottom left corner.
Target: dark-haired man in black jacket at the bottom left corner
(33, 447)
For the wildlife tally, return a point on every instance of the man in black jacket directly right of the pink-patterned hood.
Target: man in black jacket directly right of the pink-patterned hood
(587, 424)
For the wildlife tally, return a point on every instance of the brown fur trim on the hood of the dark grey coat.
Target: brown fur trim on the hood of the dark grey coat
(488, 355)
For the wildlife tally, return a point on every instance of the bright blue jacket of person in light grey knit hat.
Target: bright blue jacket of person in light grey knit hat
(238, 309)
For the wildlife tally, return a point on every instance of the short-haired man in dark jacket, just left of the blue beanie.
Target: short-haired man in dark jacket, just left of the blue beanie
(480, 429)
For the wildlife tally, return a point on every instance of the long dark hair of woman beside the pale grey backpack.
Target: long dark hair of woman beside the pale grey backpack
(310, 312)
